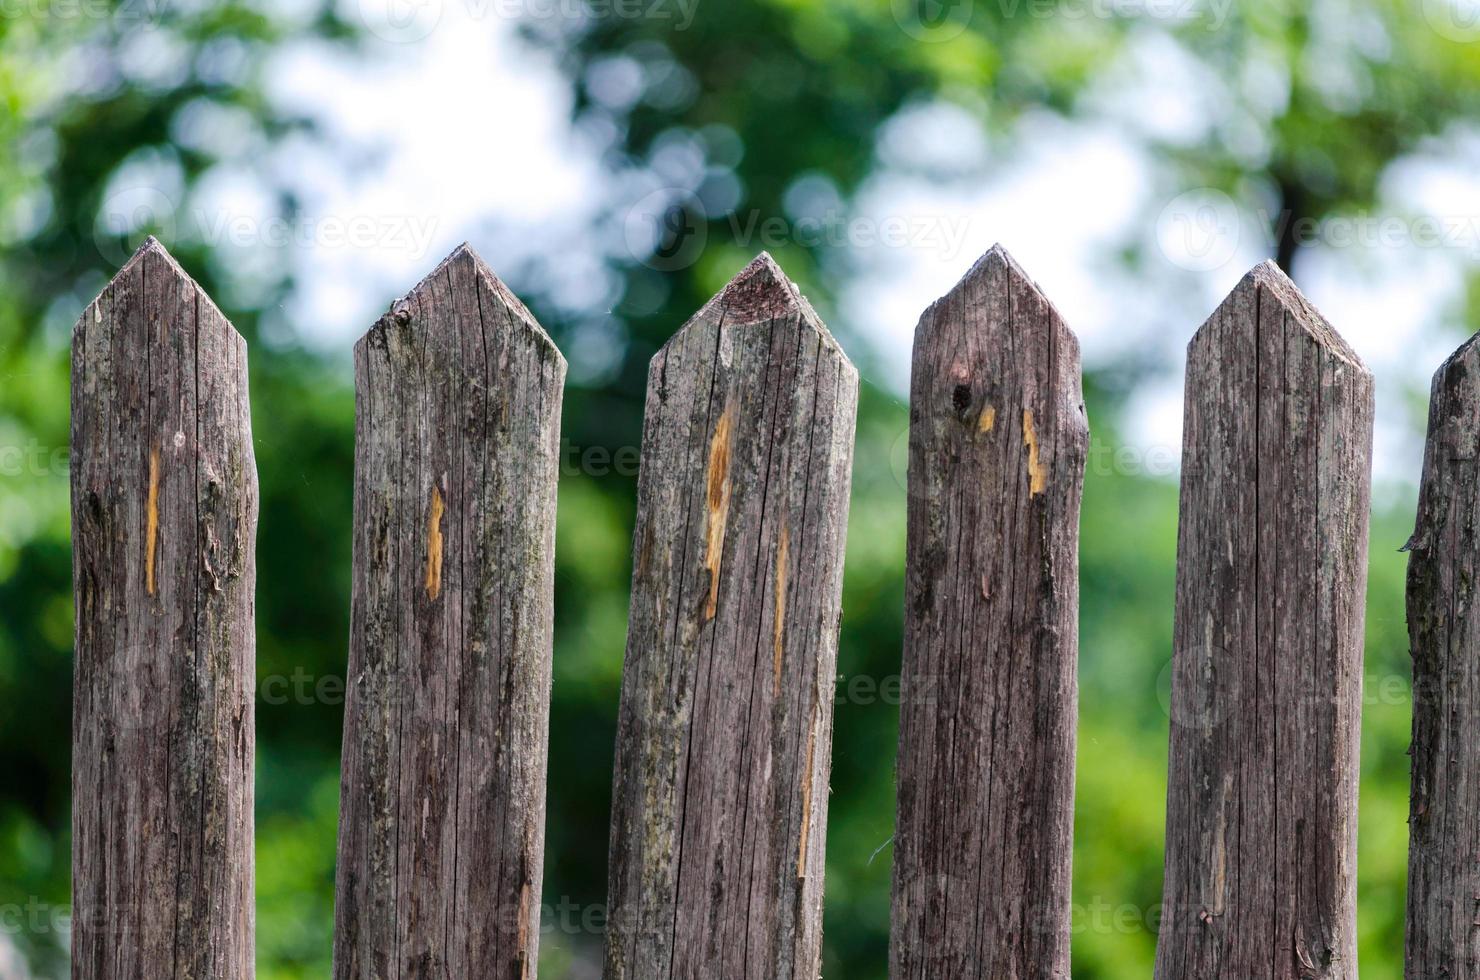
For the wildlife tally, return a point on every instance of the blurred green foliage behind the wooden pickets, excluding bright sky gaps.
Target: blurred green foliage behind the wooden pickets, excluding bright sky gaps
(772, 91)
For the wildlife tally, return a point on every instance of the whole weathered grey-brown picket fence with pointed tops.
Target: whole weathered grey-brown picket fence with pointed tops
(724, 748)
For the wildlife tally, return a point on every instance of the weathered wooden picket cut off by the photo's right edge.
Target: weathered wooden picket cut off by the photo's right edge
(1444, 624)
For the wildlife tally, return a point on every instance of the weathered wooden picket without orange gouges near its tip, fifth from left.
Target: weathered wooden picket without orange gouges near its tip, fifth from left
(1262, 819)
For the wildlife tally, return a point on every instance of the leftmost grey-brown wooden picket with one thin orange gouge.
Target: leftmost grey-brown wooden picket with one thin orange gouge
(165, 513)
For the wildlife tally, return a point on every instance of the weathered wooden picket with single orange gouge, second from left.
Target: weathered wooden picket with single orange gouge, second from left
(458, 405)
